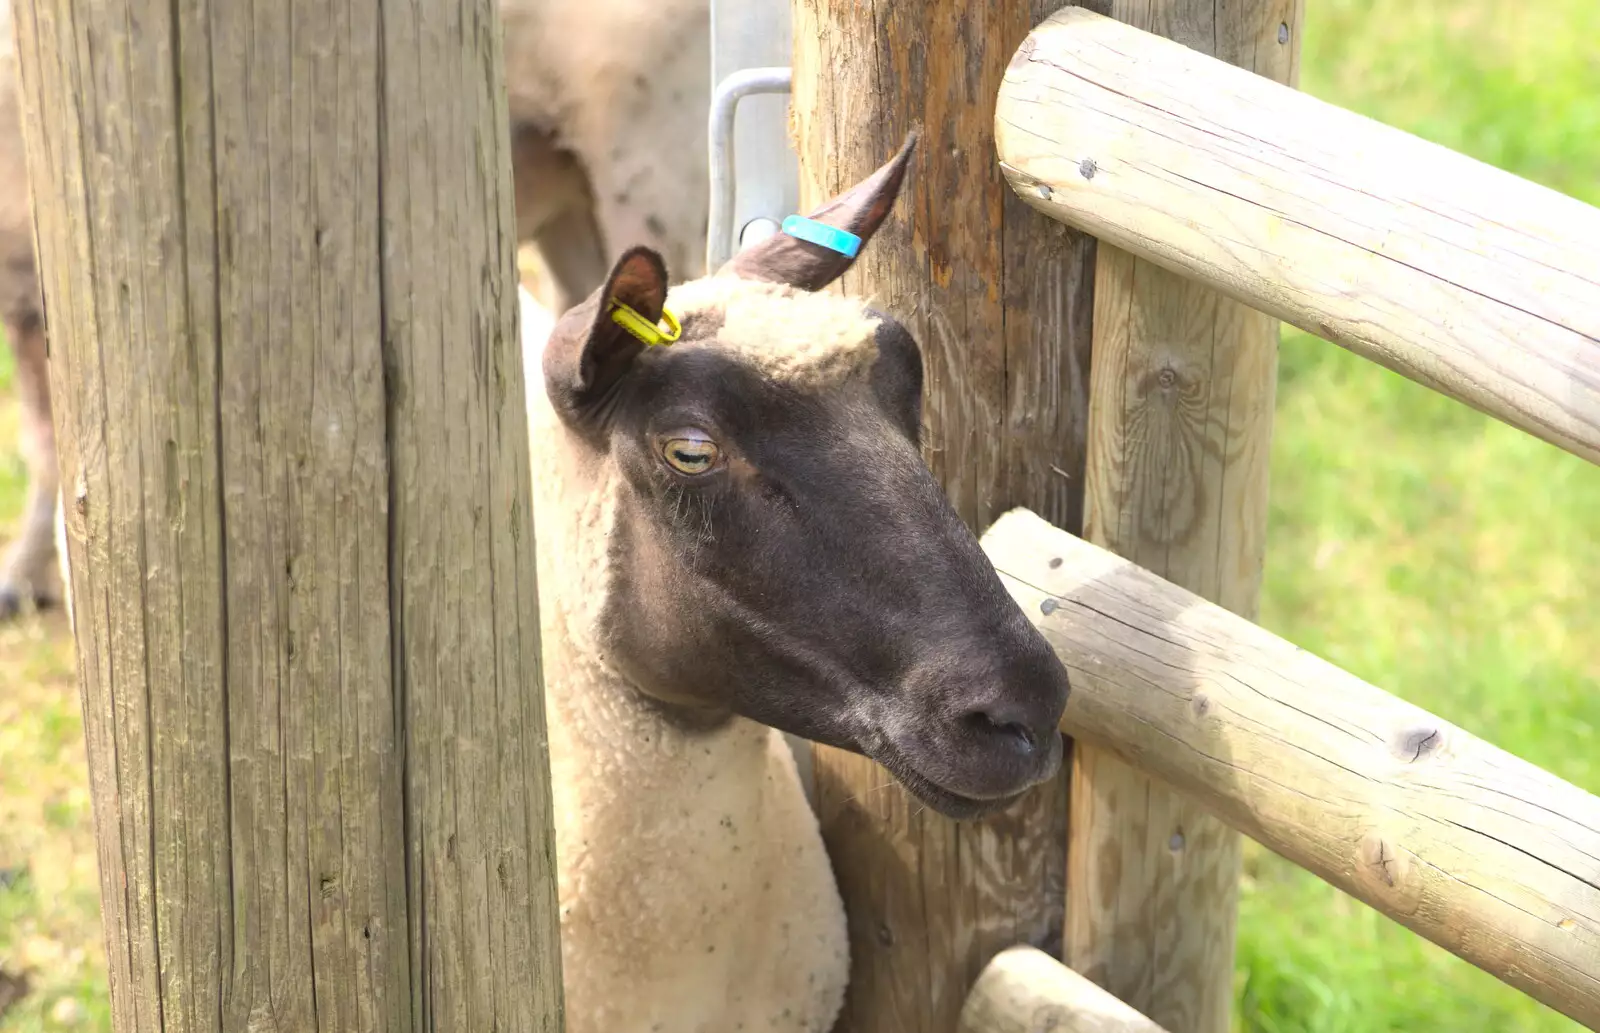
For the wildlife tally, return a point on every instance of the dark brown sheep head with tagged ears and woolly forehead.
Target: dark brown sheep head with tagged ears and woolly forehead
(780, 549)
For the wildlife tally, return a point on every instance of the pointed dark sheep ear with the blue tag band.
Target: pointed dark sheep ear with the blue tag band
(809, 266)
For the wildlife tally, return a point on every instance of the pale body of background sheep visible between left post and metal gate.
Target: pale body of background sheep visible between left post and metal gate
(609, 110)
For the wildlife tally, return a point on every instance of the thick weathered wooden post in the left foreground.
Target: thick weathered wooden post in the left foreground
(278, 253)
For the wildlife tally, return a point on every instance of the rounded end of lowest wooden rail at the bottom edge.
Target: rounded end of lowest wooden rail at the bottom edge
(1025, 991)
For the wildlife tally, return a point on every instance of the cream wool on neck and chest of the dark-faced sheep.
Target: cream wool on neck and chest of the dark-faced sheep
(695, 890)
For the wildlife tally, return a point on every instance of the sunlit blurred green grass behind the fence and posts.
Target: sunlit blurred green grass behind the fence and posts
(1418, 544)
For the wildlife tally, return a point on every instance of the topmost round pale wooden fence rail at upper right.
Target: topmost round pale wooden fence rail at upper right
(1455, 274)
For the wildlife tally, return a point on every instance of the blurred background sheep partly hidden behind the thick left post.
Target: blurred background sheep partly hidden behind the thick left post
(591, 105)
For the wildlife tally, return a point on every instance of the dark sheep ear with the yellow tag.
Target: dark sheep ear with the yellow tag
(588, 353)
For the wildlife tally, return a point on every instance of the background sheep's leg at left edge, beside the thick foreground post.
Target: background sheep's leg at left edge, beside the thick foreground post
(30, 570)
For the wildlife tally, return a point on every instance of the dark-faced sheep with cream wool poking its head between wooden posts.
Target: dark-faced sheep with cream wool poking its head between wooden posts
(738, 538)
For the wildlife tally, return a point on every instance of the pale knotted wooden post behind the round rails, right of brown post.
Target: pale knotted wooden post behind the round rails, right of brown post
(1180, 429)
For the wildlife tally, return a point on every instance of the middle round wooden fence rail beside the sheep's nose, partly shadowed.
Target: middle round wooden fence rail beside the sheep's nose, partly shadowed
(1457, 840)
